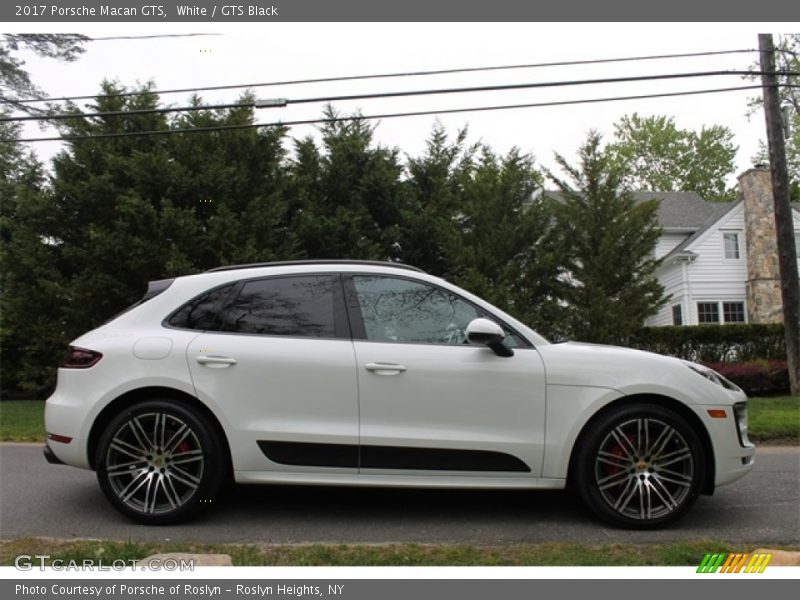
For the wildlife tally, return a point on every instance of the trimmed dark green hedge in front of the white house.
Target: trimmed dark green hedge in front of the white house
(715, 343)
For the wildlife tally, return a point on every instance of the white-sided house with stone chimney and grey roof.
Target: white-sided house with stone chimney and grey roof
(719, 261)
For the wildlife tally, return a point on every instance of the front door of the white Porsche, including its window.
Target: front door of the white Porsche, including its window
(430, 402)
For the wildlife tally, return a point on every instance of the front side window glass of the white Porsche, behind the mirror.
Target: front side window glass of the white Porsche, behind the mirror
(399, 310)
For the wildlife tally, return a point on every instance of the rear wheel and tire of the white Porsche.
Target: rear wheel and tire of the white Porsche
(160, 462)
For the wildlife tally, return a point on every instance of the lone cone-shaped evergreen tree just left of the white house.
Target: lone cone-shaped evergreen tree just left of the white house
(609, 240)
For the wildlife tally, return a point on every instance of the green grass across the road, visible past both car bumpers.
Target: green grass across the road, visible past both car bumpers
(775, 420)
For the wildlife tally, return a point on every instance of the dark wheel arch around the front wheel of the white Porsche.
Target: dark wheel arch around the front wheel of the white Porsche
(677, 407)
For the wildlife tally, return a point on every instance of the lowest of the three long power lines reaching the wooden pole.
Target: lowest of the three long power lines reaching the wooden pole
(70, 138)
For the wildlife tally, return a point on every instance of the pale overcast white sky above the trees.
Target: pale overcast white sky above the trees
(254, 53)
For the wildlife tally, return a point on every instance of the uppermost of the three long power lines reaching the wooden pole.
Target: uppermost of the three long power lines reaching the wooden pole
(391, 75)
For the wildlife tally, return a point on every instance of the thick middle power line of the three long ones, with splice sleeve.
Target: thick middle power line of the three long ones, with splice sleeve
(395, 94)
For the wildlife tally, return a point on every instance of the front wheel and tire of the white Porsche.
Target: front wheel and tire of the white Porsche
(640, 466)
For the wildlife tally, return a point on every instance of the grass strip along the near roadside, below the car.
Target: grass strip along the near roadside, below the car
(546, 554)
